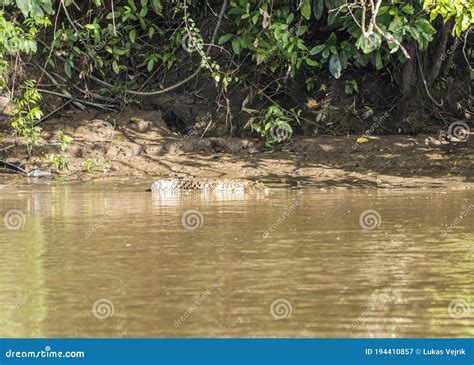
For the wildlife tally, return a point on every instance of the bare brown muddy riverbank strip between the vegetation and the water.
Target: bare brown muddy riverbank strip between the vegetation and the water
(144, 147)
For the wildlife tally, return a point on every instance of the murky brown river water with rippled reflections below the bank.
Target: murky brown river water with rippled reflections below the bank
(105, 259)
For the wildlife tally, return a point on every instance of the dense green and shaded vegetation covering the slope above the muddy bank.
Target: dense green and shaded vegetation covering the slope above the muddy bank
(265, 68)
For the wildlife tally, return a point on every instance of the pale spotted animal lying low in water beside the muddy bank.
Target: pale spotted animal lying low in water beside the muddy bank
(205, 184)
